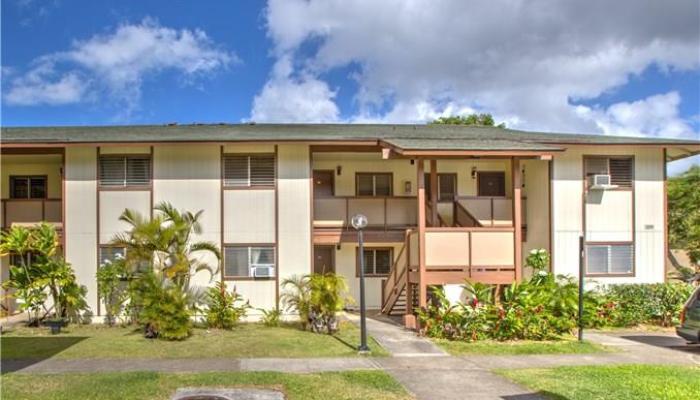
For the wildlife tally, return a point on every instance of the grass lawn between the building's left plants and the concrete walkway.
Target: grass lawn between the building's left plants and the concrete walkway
(244, 341)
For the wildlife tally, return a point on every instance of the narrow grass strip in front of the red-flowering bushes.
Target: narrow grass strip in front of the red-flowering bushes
(488, 347)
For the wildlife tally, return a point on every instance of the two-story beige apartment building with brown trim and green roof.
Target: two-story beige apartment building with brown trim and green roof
(444, 203)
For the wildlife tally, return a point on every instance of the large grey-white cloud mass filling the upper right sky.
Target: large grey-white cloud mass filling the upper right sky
(523, 61)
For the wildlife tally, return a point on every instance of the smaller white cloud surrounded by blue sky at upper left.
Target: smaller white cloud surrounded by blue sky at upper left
(117, 63)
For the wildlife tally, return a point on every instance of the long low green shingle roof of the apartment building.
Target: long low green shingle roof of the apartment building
(408, 137)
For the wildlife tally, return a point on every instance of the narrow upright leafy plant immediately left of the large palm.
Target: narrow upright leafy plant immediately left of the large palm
(112, 287)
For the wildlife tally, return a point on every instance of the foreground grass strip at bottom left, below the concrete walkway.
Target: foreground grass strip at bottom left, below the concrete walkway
(152, 385)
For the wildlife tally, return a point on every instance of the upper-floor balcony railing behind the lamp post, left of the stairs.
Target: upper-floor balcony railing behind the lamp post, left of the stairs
(391, 212)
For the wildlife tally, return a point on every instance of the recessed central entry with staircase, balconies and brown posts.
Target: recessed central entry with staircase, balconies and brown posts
(463, 230)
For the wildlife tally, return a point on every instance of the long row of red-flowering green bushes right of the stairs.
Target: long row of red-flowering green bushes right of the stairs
(546, 307)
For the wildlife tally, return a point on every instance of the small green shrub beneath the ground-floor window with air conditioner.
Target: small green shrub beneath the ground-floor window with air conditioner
(222, 309)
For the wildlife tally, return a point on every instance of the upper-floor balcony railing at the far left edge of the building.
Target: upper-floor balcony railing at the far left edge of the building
(30, 211)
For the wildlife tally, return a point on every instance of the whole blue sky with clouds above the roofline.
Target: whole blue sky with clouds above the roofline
(541, 67)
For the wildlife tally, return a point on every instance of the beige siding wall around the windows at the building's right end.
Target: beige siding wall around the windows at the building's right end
(648, 211)
